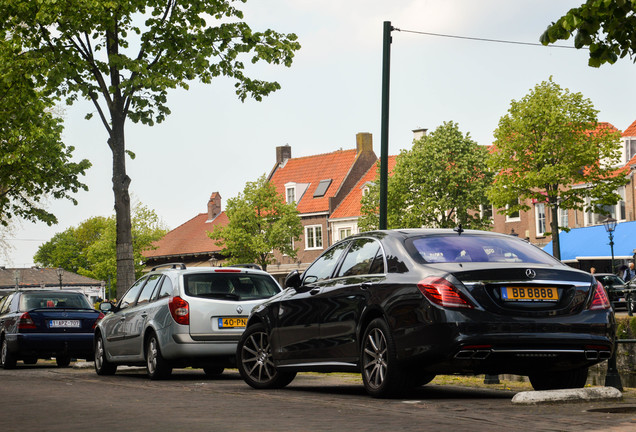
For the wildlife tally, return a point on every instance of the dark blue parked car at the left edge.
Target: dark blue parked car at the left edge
(40, 324)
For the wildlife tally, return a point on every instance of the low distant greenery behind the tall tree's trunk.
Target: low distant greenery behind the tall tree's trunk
(89, 249)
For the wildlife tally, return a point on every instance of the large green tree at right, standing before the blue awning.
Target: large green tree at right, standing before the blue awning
(549, 141)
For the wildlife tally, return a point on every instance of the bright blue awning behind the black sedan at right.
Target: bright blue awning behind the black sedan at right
(593, 243)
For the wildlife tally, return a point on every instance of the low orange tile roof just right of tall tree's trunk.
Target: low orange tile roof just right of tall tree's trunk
(189, 238)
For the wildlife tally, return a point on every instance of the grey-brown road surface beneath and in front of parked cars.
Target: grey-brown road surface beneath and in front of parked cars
(47, 398)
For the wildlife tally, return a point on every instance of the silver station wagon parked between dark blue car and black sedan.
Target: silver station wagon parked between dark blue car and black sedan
(179, 317)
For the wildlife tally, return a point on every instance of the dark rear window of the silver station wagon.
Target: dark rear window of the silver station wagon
(230, 286)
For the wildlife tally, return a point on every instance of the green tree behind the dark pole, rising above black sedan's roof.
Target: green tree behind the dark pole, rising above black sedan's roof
(440, 183)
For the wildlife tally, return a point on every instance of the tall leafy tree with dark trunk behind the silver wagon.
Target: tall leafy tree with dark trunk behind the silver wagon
(124, 56)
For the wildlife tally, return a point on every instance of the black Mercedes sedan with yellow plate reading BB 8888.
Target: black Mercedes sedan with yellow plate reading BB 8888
(401, 306)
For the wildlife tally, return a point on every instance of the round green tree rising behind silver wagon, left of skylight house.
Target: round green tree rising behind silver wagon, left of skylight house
(259, 222)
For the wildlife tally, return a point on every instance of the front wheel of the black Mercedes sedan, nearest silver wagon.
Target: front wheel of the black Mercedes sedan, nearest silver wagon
(254, 360)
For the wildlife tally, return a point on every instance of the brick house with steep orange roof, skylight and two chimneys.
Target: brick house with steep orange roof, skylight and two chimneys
(317, 184)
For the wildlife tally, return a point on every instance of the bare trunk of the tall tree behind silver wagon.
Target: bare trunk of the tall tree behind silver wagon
(121, 182)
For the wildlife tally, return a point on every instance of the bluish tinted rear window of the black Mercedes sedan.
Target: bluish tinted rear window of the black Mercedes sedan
(454, 248)
